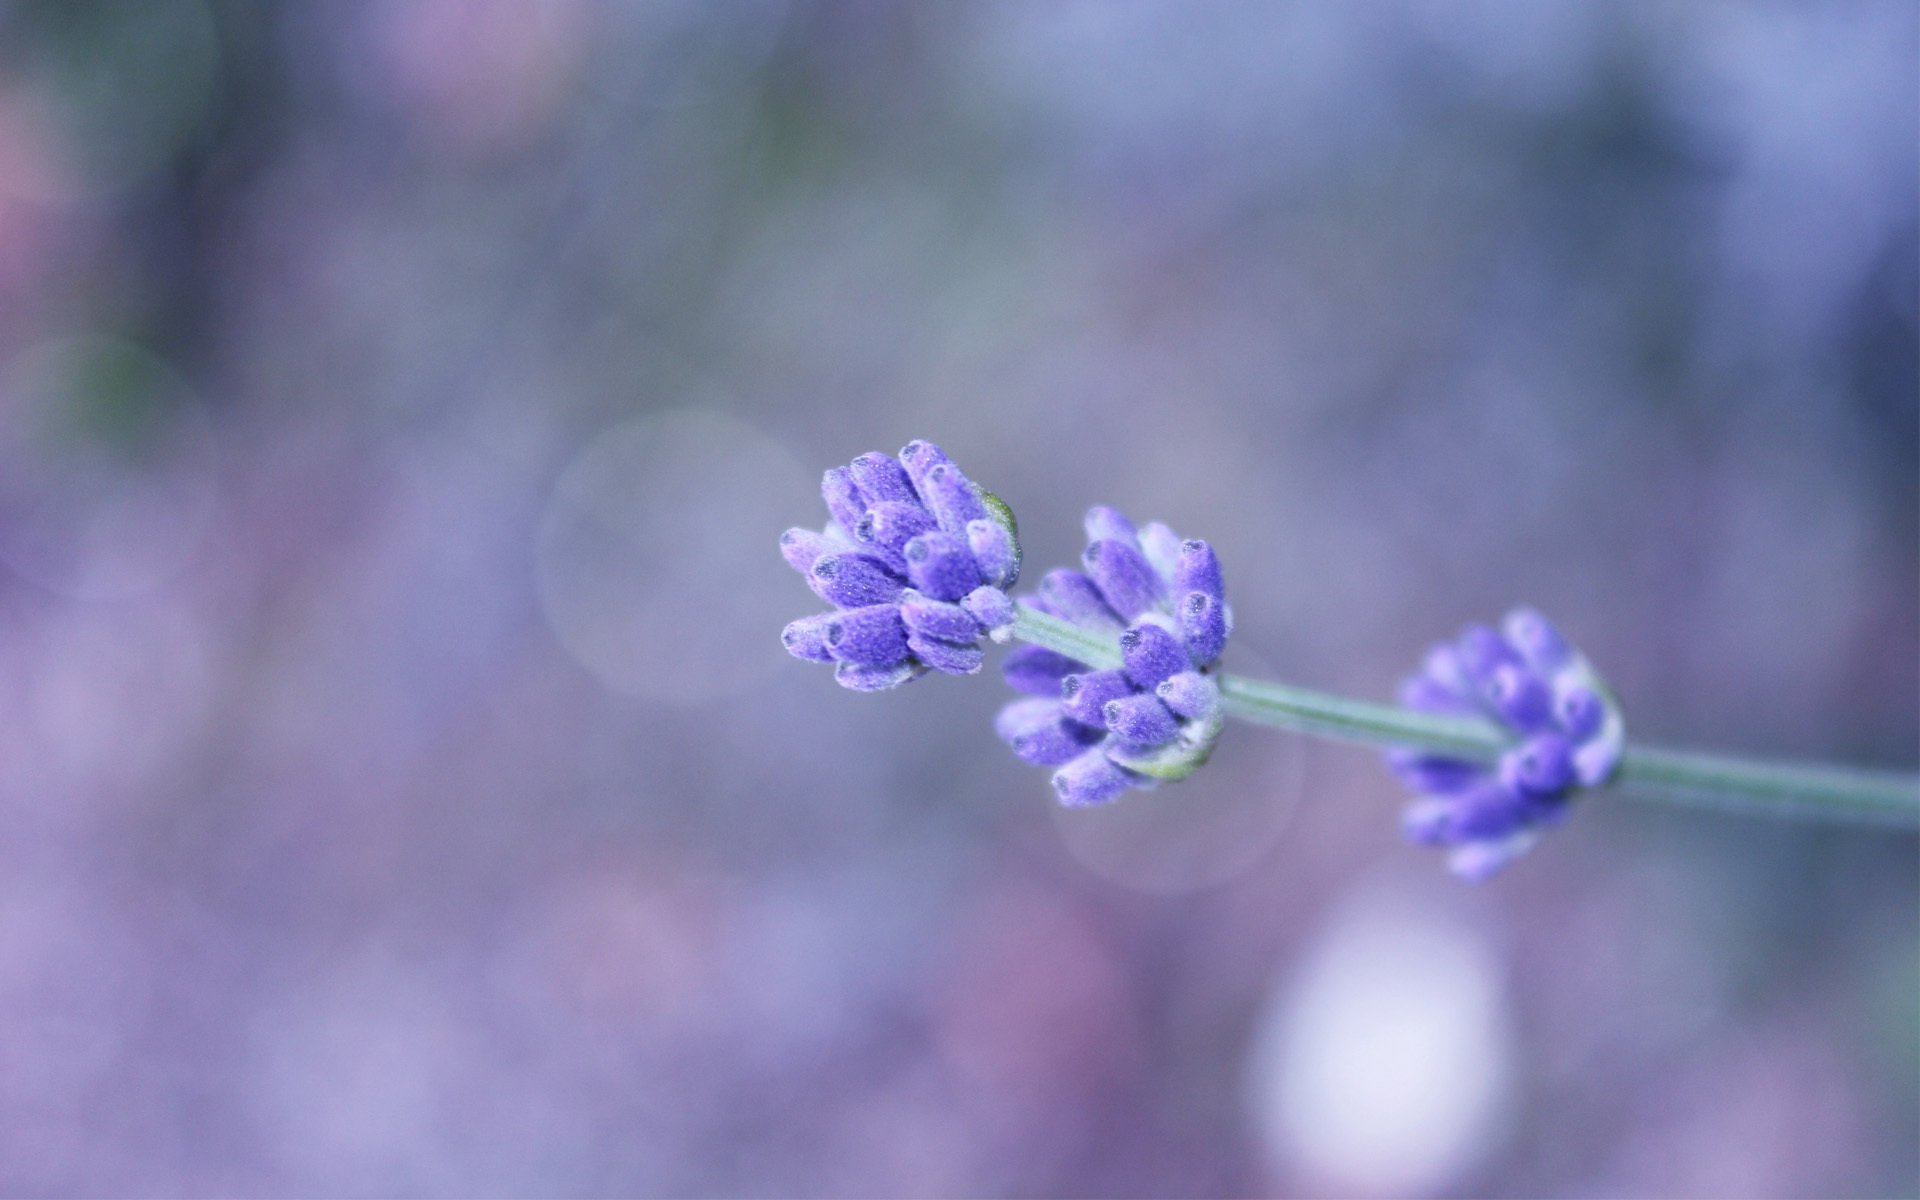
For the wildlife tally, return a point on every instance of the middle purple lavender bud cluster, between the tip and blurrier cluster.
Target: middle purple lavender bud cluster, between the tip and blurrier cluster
(1153, 719)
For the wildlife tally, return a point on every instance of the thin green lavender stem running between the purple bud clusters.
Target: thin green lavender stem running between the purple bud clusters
(1714, 780)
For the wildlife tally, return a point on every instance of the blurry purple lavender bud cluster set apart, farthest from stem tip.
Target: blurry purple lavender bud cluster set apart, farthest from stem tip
(1568, 734)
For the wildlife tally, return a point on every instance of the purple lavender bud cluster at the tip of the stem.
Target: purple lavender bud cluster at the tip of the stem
(917, 562)
